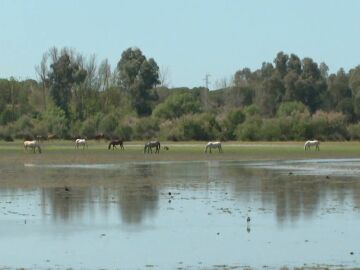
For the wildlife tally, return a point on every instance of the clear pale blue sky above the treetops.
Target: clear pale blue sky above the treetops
(188, 38)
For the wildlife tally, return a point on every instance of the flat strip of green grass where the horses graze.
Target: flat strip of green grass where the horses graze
(54, 150)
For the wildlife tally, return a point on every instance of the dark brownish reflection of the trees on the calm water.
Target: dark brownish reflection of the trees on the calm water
(135, 191)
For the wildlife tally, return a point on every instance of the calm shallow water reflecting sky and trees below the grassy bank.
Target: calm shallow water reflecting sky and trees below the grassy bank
(185, 215)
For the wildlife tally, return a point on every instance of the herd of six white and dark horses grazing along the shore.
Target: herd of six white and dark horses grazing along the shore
(34, 145)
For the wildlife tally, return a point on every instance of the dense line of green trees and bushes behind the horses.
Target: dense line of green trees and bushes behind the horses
(73, 95)
